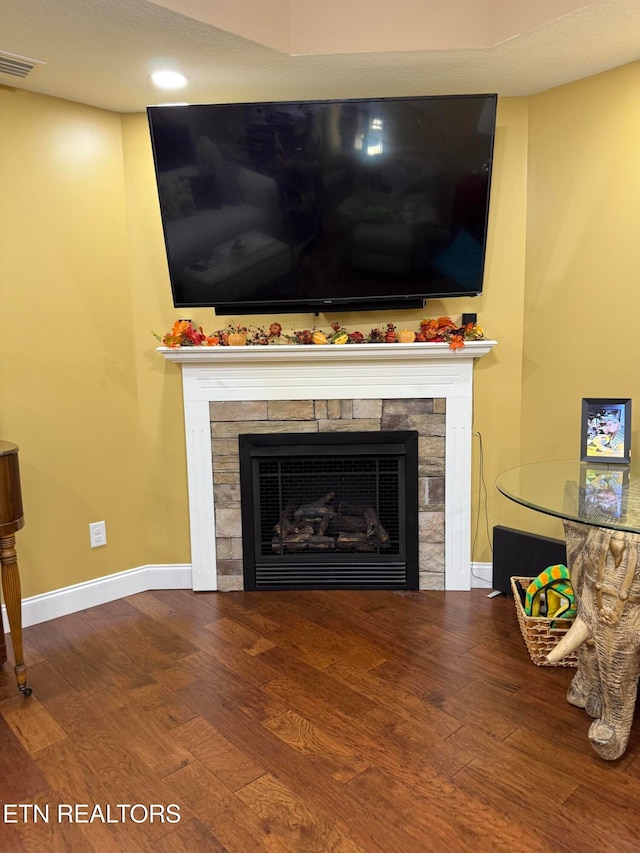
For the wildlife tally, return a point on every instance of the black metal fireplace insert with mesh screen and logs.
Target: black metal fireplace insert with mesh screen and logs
(330, 510)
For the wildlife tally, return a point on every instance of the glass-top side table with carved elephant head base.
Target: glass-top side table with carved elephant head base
(599, 504)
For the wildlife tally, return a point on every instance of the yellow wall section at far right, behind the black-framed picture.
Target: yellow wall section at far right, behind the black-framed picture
(583, 257)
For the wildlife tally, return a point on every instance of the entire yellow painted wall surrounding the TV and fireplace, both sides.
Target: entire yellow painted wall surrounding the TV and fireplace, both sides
(83, 281)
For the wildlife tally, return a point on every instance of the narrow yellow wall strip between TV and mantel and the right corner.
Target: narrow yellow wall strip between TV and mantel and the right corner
(497, 377)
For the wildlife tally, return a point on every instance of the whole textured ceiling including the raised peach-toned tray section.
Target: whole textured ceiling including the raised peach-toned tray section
(101, 52)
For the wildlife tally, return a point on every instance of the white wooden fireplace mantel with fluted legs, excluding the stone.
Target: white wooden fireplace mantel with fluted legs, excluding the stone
(331, 372)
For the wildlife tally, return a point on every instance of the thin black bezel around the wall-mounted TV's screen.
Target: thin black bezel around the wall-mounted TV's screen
(348, 303)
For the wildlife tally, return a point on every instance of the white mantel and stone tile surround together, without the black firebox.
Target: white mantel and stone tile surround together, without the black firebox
(232, 390)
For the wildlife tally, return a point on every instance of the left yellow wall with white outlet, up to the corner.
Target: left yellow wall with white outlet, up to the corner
(68, 393)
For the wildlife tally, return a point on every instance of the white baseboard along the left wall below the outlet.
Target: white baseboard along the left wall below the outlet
(71, 599)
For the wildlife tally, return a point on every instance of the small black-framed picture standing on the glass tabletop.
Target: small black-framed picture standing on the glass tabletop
(606, 430)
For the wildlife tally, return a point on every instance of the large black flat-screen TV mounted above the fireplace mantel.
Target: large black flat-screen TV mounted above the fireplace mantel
(324, 205)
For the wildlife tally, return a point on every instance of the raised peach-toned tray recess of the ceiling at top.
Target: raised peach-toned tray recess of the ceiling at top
(370, 26)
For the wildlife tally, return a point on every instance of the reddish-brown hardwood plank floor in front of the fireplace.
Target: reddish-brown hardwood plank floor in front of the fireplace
(302, 721)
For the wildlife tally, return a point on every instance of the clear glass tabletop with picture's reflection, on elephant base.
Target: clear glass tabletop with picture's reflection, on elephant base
(600, 494)
